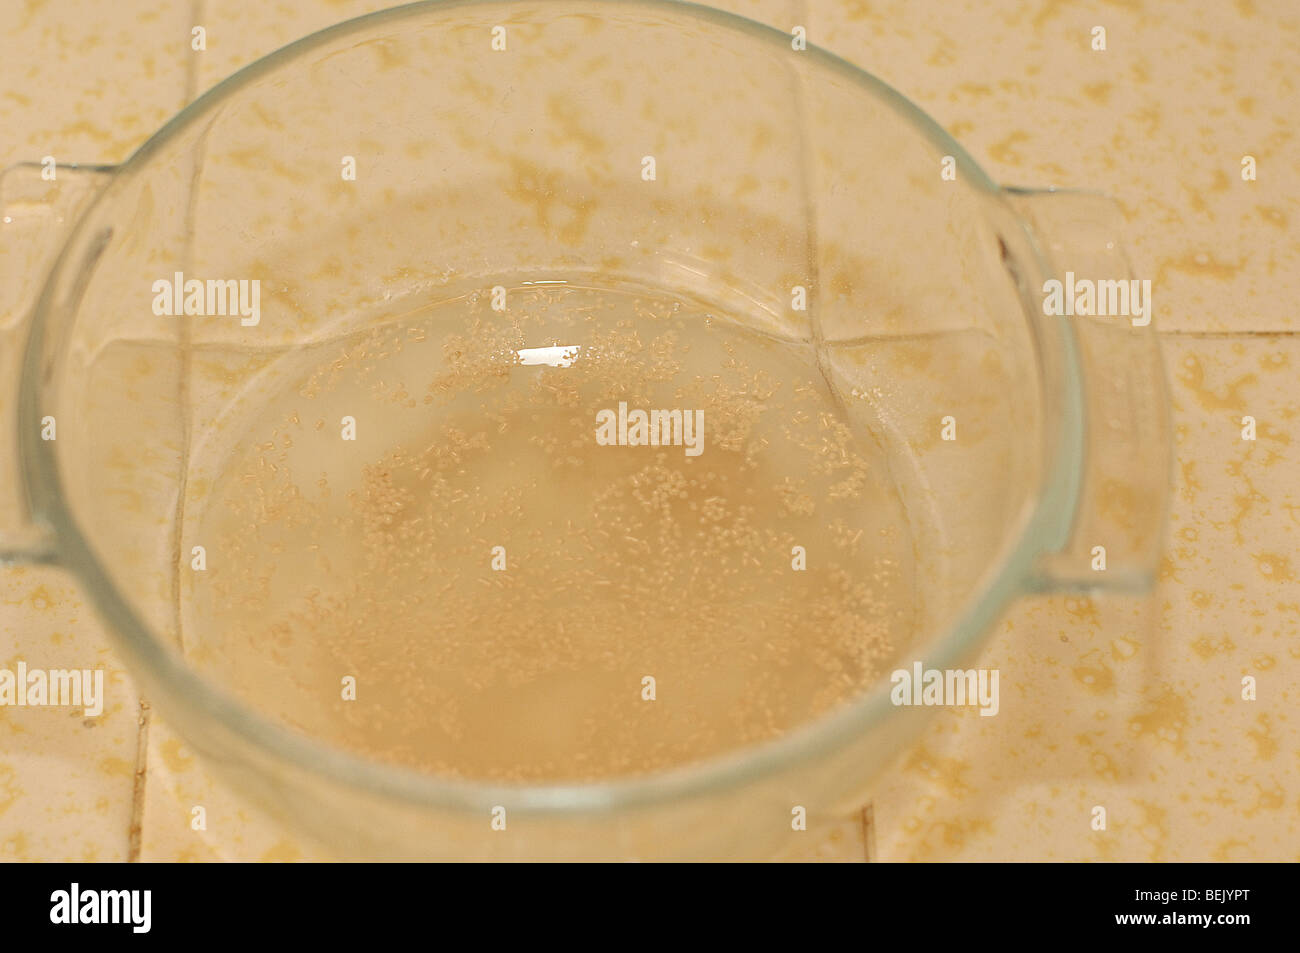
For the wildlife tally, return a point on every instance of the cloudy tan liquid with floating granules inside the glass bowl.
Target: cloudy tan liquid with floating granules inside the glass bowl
(517, 601)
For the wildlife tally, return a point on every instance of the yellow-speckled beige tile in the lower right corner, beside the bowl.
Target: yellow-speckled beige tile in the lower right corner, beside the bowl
(1186, 769)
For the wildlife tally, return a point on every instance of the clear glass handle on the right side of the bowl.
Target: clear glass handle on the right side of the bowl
(1121, 499)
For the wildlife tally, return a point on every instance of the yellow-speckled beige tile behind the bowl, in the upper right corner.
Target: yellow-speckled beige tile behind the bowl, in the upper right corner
(1160, 120)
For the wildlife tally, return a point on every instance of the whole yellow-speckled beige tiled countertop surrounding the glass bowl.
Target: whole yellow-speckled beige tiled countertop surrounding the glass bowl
(1124, 703)
